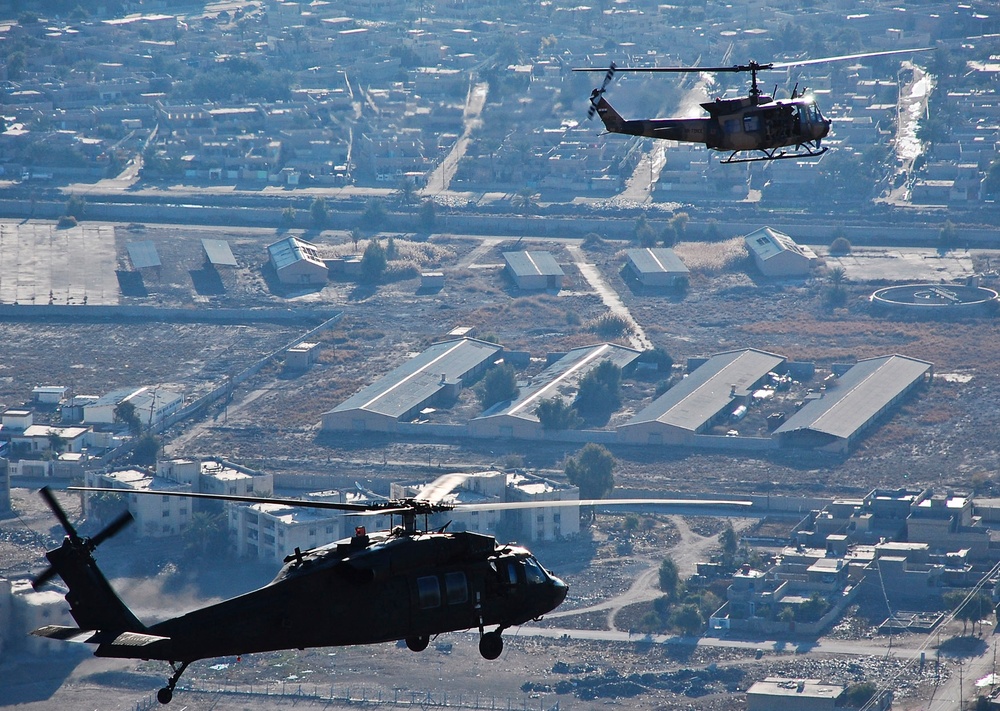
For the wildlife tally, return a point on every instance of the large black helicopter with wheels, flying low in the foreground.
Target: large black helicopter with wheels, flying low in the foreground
(400, 584)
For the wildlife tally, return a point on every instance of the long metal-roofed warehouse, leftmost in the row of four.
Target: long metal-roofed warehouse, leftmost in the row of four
(437, 374)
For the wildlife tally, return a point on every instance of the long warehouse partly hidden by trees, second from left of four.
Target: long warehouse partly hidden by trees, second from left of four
(517, 419)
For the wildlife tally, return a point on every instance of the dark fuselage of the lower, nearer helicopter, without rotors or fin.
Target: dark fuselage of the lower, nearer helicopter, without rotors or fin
(367, 589)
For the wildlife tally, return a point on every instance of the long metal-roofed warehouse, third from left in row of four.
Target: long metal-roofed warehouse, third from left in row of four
(711, 392)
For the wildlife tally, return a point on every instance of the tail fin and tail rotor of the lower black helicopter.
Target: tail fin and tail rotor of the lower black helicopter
(93, 603)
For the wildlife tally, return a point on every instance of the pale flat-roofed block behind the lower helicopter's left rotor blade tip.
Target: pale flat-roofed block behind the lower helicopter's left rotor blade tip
(155, 516)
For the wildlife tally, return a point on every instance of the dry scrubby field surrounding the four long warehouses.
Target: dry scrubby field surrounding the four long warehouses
(943, 436)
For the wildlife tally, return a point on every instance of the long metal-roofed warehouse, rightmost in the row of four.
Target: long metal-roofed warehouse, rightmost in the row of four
(852, 403)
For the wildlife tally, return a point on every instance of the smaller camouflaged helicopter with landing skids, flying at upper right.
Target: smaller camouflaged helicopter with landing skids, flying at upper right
(754, 123)
